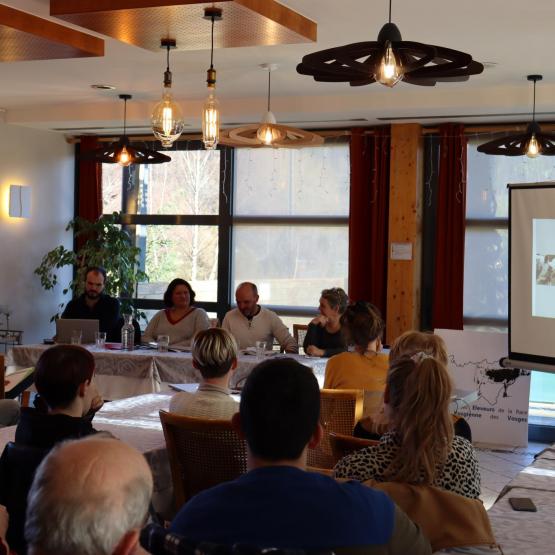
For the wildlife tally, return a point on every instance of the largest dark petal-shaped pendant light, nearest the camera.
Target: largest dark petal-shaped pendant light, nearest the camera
(388, 61)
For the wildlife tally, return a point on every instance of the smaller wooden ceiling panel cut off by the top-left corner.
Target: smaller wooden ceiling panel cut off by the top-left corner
(27, 37)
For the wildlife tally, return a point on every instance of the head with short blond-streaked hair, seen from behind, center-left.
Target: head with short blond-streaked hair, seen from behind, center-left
(214, 351)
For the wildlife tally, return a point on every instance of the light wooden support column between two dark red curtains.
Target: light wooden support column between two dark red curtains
(403, 273)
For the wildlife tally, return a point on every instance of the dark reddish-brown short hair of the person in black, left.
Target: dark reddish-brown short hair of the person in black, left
(60, 371)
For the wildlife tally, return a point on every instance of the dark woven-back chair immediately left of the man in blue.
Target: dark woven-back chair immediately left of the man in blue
(202, 453)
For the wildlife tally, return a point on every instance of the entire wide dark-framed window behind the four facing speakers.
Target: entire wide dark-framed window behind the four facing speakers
(287, 231)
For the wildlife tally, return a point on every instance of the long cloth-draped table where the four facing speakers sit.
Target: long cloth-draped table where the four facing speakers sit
(121, 374)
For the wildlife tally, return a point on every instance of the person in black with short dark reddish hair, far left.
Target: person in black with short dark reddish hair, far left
(67, 400)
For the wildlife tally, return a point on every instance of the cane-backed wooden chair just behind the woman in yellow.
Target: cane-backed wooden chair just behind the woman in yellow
(340, 409)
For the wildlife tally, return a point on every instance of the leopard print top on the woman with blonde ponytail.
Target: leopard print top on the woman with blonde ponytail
(460, 473)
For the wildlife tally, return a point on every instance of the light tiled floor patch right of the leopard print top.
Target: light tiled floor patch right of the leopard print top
(498, 468)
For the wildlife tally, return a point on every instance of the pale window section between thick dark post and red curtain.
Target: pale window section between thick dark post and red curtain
(290, 224)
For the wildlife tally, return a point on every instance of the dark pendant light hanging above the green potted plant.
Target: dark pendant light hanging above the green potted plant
(122, 152)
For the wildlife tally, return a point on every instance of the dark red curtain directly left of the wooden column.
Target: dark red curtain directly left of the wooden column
(369, 216)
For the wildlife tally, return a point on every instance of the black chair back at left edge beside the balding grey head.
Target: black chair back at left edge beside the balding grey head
(18, 465)
